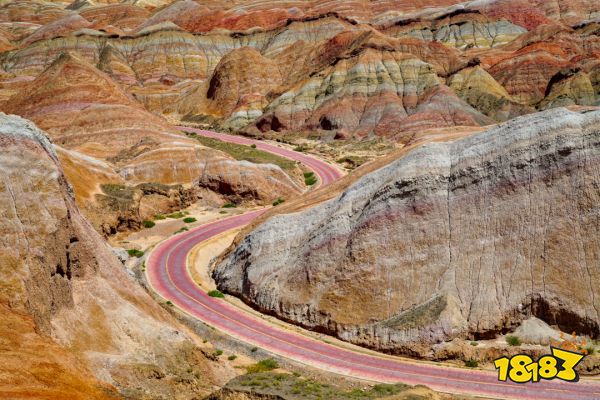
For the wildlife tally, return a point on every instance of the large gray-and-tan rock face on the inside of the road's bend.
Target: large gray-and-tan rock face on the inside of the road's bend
(461, 239)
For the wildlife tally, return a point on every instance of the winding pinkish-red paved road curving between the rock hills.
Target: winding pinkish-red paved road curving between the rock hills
(168, 274)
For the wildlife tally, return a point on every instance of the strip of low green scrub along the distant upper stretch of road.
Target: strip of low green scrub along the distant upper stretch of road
(247, 153)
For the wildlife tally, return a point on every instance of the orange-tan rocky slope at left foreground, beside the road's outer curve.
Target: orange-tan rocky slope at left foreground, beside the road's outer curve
(74, 323)
